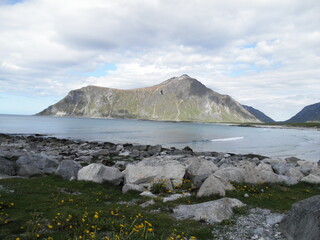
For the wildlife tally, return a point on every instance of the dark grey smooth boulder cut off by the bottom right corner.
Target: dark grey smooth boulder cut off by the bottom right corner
(303, 221)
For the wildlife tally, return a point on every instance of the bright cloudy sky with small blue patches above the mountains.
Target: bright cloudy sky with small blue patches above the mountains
(263, 53)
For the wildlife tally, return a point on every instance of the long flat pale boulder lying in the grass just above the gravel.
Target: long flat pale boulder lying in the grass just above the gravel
(211, 212)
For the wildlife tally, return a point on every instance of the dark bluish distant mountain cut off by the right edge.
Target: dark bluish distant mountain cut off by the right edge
(310, 113)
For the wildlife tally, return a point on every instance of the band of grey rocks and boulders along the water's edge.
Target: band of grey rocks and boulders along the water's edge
(142, 167)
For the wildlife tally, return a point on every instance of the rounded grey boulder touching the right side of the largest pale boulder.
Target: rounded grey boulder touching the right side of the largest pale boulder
(199, 166)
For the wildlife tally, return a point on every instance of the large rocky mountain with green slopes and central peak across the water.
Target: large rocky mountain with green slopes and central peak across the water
(177, 99)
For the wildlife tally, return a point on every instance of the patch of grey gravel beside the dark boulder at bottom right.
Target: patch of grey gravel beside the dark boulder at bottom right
(258, 224)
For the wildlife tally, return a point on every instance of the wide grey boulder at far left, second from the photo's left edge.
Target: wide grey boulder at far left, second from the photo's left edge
(40, 161)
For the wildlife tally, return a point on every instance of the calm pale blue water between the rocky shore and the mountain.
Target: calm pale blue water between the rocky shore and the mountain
(304, 144)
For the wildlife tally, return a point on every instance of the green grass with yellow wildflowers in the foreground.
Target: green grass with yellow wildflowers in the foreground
(51, 208)
